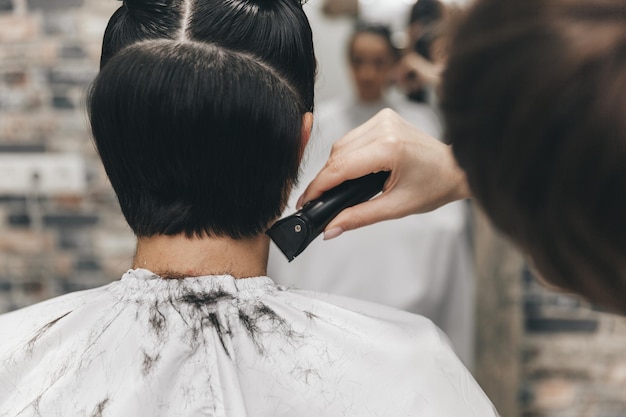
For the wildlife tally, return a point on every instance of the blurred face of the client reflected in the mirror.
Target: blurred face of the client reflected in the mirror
(371, 61)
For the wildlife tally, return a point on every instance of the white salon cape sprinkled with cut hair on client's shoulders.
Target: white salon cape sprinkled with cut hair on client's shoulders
(217, 346)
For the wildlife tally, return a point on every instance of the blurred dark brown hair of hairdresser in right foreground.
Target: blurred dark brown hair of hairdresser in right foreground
(534, 102)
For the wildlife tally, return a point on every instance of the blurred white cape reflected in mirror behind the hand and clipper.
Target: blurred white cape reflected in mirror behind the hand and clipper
(421, 264)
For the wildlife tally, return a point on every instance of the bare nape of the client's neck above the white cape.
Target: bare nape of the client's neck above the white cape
(181, 257)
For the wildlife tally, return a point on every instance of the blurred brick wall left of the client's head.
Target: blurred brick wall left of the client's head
(54, 243)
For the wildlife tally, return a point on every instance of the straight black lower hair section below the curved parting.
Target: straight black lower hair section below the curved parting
(196, 138)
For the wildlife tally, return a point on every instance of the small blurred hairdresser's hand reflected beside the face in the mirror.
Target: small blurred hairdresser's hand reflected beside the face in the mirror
(414, 72)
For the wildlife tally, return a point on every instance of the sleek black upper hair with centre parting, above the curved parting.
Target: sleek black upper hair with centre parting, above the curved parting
(275, 31)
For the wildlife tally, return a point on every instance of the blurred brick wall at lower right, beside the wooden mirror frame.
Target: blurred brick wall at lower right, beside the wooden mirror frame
(573, 357)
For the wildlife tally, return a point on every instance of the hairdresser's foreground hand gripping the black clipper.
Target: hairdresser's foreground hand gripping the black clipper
(424, 174)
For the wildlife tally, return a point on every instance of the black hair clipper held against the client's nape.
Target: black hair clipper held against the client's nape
(294, 233)
